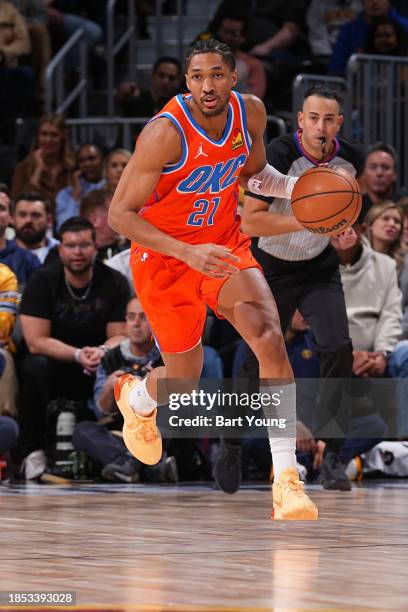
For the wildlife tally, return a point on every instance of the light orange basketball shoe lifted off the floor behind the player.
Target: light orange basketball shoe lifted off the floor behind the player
(140, 433)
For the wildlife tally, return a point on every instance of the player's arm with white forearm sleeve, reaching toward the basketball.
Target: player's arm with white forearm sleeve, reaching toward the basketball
(257, 175)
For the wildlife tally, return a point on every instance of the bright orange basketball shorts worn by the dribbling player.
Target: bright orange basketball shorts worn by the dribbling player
(174, 296)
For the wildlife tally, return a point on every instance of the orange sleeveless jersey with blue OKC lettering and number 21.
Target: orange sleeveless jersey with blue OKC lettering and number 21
(196, 198)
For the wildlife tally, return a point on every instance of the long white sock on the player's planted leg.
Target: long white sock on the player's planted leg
(283, 449)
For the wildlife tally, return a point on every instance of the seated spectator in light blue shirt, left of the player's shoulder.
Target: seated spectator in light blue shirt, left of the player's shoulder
(88, 176)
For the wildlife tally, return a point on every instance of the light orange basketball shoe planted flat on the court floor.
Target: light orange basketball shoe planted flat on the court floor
(290, 502)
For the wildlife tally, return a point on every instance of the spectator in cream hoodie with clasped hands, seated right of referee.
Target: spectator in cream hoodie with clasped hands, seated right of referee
(373, 302)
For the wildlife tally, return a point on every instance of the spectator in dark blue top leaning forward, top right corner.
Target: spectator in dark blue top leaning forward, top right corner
(353, 34)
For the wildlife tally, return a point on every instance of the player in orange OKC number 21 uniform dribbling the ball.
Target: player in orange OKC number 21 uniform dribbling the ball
(188, 251)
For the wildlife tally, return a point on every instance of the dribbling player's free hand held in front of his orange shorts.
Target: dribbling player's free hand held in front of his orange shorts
(212, 260)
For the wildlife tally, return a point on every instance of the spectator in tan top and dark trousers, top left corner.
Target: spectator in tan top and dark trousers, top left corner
(16, 79)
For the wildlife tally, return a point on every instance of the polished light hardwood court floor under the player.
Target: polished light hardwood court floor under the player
(193, 548)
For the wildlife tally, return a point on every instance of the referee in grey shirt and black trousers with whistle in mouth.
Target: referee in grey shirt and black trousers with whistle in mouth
(302, 271)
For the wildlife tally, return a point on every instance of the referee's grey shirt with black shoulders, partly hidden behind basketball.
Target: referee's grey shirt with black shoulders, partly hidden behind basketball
(287, 155)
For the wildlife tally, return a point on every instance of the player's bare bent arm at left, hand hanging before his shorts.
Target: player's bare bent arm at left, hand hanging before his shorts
(158, 145)
